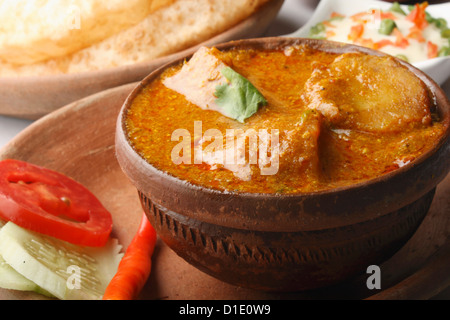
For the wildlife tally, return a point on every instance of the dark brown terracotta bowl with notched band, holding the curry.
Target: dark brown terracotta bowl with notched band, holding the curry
(279, 242)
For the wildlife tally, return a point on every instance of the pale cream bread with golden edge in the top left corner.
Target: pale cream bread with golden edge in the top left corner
(32, 31)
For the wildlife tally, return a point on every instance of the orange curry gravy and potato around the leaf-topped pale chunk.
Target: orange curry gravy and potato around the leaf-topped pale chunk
(342, 119)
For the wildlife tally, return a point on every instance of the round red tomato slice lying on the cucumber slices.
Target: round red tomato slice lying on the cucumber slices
(48, 202)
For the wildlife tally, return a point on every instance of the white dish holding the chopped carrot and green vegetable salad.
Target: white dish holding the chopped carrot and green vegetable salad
(438, 68)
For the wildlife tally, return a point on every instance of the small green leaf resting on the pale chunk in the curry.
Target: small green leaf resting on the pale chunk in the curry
(238, 98)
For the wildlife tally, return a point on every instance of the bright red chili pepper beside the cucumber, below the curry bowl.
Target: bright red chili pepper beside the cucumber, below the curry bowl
(135, 266)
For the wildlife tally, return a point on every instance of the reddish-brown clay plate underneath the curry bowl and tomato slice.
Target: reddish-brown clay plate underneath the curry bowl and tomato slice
(78, 140)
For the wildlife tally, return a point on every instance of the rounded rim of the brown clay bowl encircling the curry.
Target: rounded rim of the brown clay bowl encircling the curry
(442, 103)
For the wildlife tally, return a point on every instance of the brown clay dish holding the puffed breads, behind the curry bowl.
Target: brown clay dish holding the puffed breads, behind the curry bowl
(33, 97)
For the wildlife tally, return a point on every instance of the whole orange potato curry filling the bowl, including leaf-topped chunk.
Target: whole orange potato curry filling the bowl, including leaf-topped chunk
(335, 118)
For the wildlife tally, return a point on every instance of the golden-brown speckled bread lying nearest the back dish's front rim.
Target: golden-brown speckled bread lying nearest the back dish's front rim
(169, 28)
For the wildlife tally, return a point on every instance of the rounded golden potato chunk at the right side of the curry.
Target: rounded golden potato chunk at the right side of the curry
(369, 93)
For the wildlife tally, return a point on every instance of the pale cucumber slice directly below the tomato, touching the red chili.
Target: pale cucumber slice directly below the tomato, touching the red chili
(62, 269)
